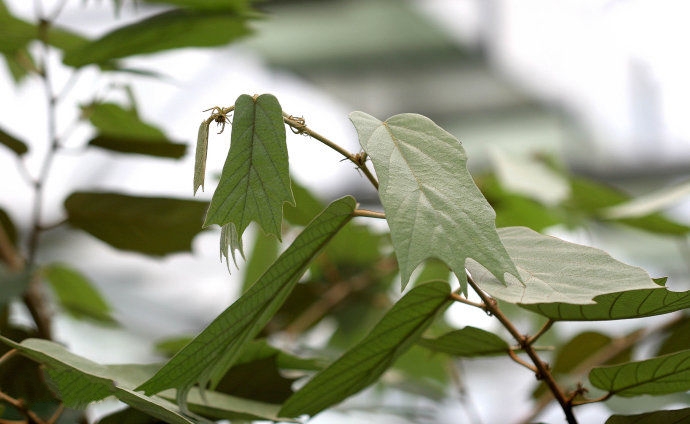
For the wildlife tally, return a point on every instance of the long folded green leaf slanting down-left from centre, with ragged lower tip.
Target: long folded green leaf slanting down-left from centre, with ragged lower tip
(216, 348)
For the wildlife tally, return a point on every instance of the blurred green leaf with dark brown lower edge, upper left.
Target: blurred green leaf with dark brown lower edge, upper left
(122, 130)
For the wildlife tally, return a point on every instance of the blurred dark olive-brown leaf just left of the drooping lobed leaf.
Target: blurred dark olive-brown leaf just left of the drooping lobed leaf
(151, 225)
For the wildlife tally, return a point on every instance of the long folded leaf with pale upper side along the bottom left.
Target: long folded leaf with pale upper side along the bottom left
(79, 381)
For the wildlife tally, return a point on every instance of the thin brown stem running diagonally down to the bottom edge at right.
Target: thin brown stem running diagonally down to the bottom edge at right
(543, 372)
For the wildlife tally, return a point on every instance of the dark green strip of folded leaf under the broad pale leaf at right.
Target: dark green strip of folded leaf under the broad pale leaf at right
(621, 305)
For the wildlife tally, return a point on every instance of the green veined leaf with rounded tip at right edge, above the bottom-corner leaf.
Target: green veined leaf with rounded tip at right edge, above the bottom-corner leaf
(656, 376)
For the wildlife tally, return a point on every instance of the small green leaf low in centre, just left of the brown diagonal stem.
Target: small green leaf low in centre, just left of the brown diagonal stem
(467, 342)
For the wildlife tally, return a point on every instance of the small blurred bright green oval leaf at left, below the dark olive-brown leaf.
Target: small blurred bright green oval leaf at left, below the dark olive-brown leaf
(76, 294)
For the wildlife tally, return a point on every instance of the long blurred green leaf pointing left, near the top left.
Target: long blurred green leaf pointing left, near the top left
(168, 30)
